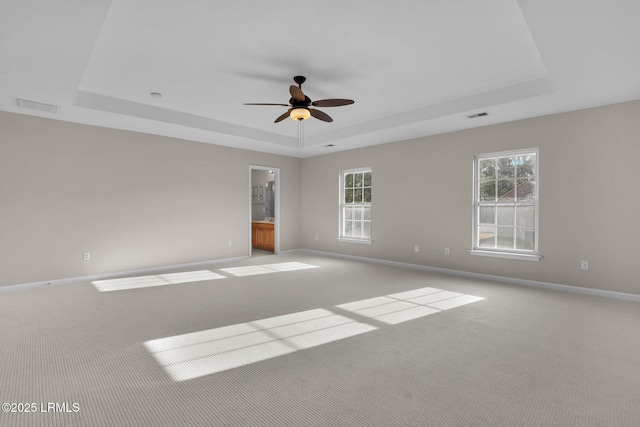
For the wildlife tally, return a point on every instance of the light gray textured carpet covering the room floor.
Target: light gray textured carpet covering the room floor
(519, 357)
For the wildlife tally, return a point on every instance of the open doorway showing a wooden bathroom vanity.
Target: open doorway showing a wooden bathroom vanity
(264, 210)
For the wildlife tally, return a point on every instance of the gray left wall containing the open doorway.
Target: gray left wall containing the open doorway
(133, 200)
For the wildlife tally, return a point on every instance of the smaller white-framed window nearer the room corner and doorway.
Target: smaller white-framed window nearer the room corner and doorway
(355, 205)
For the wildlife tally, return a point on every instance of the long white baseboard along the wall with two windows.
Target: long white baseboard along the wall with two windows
(501, 279)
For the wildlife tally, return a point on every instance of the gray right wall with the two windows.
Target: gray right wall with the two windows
(422, 195)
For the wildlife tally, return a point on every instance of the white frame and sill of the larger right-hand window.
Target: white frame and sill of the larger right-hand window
(522, 254)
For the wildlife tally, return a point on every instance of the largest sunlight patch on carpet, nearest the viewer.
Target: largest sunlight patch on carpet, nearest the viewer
(202, 353)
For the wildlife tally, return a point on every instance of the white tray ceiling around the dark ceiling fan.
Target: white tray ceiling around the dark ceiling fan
(413, 67)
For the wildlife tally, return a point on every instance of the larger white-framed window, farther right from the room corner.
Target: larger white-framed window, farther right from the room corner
(506, 203)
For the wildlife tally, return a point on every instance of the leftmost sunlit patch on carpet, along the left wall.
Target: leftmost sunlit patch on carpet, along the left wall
(155, 280)
